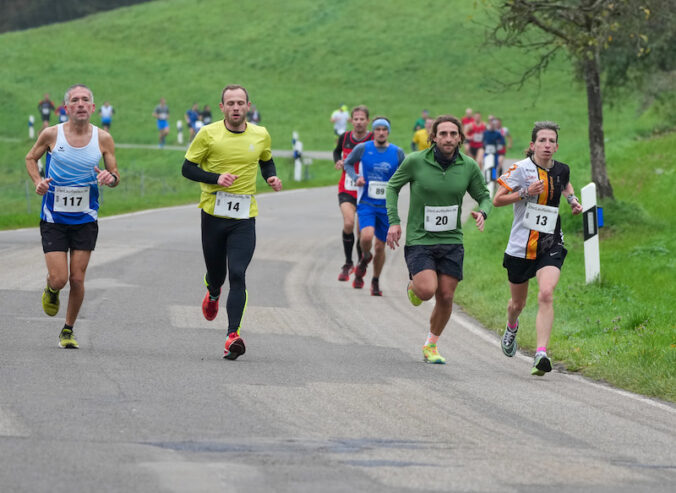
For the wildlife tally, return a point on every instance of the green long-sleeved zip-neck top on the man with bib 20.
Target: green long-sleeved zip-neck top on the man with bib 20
(432, 186)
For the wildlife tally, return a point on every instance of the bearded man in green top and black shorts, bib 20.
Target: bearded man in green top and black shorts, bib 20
(439, 177)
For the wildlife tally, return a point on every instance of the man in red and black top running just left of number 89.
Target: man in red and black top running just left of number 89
(347, 189)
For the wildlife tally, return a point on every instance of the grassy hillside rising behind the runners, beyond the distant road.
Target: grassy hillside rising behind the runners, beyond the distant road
(299, 60)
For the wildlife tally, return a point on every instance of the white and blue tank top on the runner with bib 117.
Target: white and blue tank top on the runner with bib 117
(73, 179)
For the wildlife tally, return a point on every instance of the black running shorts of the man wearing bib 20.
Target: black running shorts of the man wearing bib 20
(443, 259)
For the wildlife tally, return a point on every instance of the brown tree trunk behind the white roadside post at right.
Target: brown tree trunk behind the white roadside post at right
(595, 110)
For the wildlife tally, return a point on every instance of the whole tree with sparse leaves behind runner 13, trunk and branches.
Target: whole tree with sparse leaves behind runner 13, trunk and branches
(588, 31)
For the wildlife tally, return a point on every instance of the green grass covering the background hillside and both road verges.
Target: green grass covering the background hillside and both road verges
(300, 60)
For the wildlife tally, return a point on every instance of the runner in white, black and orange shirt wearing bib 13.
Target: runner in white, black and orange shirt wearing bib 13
(535, 249)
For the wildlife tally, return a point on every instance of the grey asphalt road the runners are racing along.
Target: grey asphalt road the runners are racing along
(332, 394)
